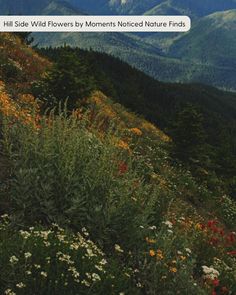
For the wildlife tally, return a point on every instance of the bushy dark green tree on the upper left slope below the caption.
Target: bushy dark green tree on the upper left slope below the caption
(68, 80)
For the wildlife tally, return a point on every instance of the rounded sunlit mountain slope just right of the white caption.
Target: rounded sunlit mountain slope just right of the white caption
(220, 30)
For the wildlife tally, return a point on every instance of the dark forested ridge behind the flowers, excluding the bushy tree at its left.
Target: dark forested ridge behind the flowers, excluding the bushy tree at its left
(162, 102)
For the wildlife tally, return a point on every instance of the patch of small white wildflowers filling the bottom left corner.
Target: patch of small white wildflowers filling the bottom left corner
(55, 261)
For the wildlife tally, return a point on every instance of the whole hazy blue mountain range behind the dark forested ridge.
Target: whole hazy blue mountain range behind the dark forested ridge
(205, 54)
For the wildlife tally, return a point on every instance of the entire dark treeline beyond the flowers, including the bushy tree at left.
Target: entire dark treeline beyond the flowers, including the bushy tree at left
(165, 104)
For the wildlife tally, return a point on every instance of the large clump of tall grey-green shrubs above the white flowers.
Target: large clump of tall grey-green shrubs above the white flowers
(68, 172)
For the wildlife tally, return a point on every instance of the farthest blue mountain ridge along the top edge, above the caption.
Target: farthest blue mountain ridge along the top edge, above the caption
(190, 7)
